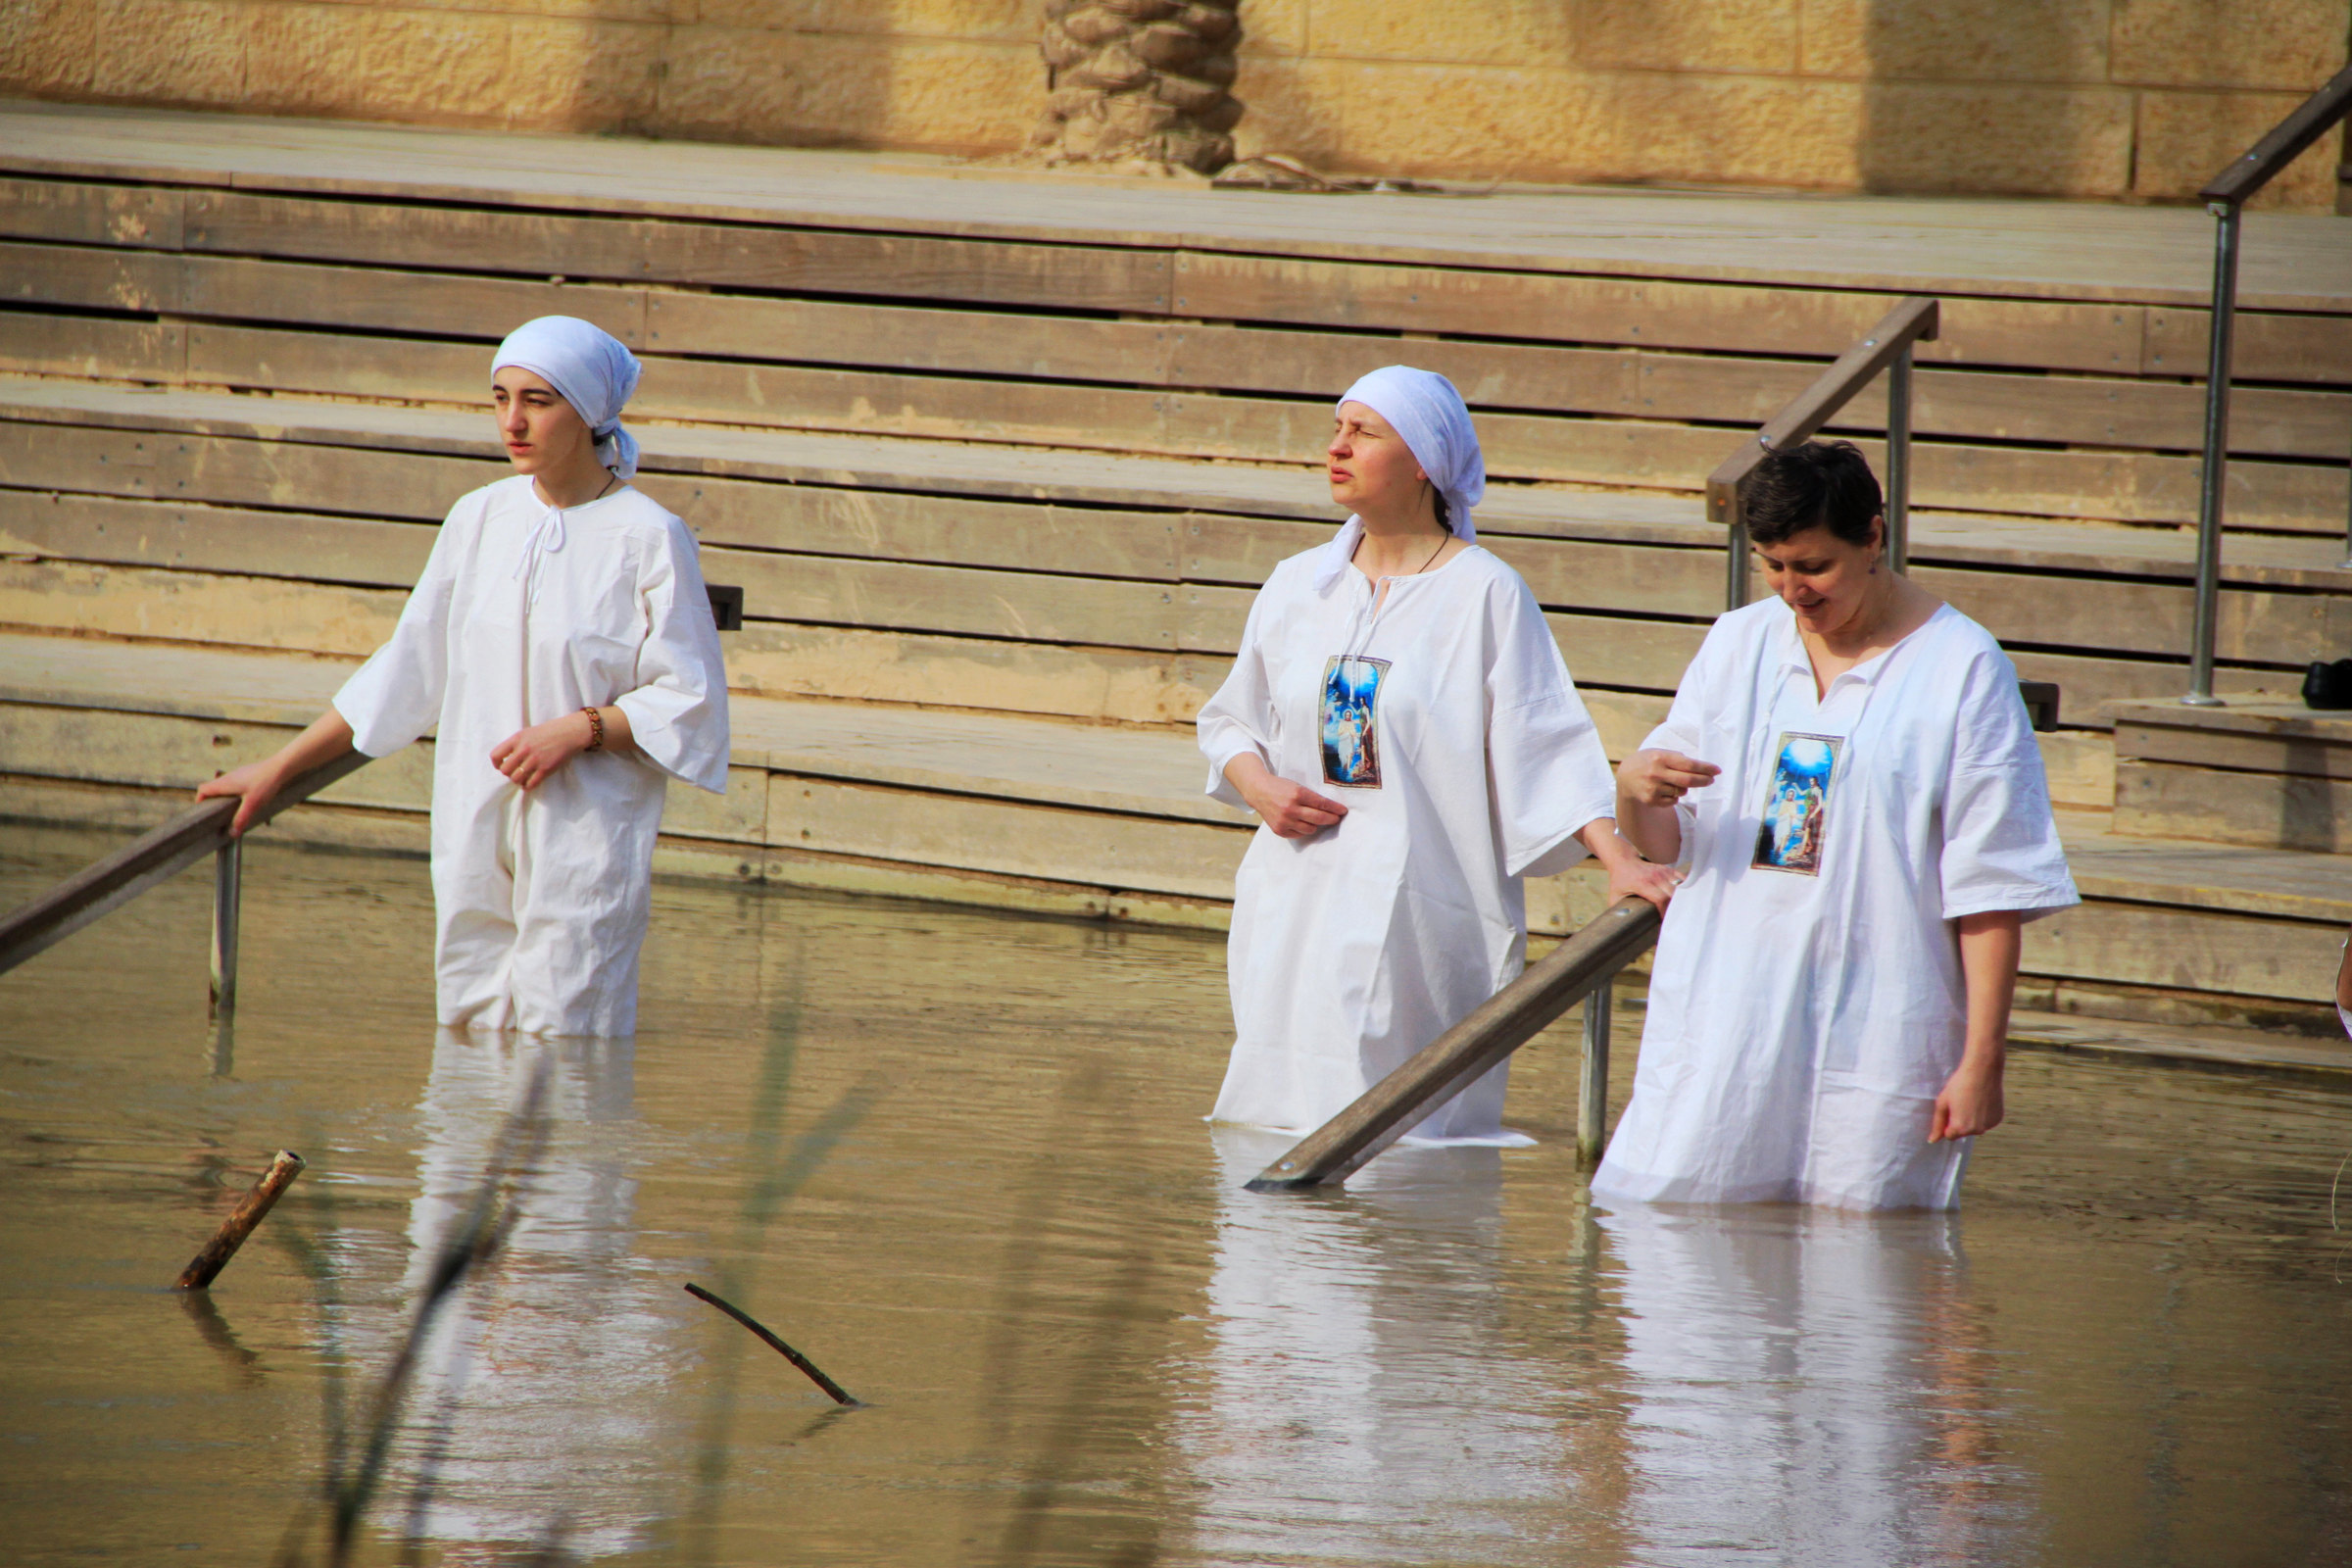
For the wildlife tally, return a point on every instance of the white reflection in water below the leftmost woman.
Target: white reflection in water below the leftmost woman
(542, 1402)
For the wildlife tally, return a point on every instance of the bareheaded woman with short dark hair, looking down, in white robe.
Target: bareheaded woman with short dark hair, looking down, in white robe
(1855, 789)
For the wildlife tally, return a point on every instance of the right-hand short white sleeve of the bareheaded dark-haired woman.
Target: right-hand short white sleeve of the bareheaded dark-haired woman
(2000, 840)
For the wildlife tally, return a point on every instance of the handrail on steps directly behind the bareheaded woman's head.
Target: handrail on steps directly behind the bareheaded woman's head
(1885, 349)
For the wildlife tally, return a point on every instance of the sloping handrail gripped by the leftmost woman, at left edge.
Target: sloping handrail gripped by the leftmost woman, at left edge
(154, 859)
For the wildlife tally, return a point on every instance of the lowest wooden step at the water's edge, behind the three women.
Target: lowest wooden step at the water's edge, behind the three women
(1071, 819)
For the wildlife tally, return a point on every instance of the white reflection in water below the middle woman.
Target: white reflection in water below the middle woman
(1363, 1405)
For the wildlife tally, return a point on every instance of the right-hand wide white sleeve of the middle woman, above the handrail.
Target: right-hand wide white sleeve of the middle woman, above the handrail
(1544, 756)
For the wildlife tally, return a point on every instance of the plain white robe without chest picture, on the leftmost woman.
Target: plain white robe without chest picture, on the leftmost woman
(521, 617)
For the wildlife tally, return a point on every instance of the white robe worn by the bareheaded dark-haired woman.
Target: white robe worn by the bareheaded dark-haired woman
(1803, 1024)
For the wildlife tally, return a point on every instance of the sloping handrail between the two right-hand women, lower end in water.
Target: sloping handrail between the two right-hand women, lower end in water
(1582, 967)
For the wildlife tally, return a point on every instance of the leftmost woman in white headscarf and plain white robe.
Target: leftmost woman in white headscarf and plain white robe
(561, 641)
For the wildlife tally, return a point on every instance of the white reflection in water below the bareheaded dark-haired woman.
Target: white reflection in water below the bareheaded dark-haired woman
(1810, 1388)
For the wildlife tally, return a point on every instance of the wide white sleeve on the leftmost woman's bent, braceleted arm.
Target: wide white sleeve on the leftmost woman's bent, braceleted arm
(679, 709)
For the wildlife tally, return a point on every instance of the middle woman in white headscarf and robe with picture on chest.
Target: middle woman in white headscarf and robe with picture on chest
(1412, 744)
